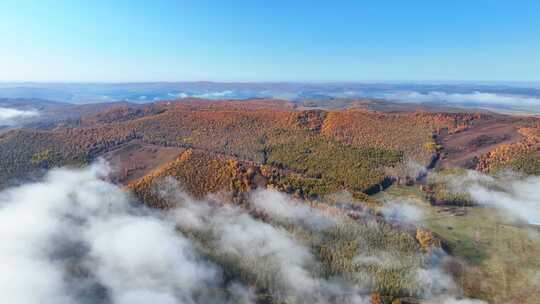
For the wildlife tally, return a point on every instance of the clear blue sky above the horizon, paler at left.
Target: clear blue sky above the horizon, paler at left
(115, 41)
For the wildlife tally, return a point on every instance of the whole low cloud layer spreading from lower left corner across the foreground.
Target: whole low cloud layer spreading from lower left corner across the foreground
(75, 238)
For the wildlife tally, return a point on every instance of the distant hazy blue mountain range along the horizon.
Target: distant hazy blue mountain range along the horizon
(511, 97)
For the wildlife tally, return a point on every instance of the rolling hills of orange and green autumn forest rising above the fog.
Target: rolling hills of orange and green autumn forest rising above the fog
(336, 162)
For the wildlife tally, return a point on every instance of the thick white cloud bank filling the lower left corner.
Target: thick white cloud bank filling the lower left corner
(73, 231)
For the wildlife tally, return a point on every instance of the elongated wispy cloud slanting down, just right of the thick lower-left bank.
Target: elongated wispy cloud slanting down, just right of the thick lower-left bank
(239, 234)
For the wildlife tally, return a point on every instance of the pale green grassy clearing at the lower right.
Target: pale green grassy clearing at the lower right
(500, 256)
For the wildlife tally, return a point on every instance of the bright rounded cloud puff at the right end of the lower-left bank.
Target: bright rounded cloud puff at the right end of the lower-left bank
(165, 264)
